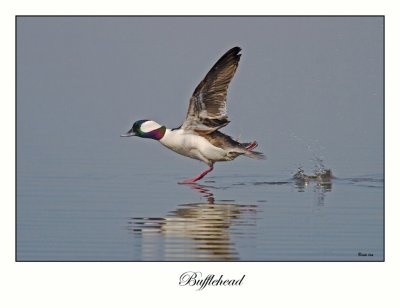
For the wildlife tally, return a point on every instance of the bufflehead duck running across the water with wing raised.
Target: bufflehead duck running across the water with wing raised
(199, 136)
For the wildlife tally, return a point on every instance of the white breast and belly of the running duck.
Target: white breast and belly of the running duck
(192, 145)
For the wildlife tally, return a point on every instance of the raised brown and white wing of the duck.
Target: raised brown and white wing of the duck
(207, 108)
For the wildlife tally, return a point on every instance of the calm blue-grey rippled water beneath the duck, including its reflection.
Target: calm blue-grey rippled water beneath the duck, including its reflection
(98, 210)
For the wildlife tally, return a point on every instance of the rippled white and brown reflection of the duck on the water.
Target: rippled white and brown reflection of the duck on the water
(195, 231)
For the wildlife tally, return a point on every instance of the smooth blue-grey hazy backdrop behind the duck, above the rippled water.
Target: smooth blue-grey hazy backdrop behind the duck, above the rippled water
(302, 82)
